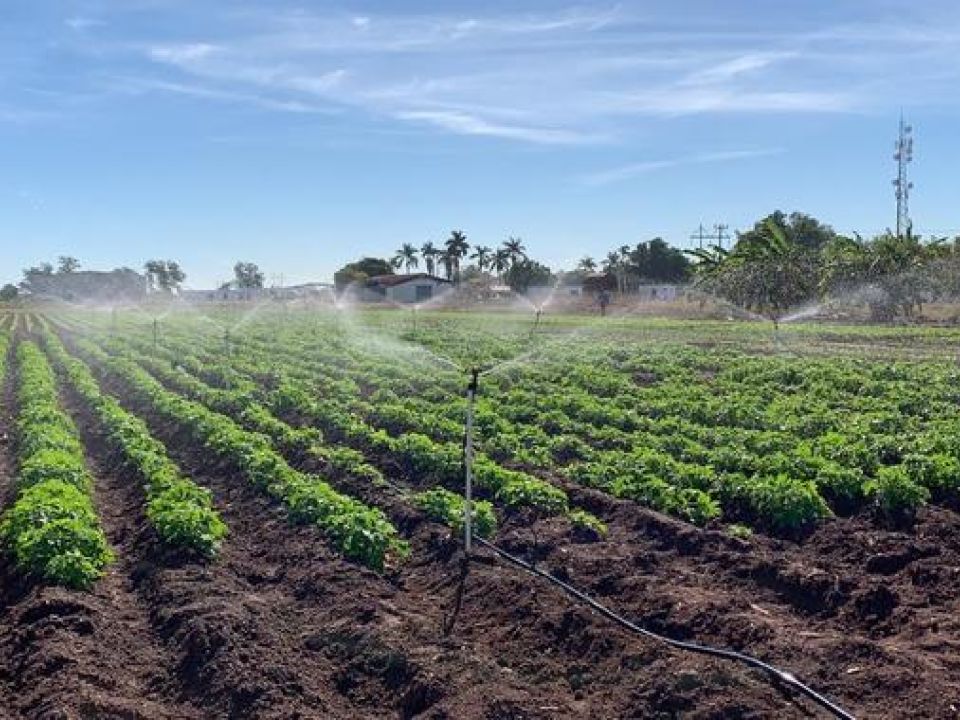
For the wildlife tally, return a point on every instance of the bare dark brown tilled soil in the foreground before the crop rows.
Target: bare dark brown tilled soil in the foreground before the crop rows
(279, 627)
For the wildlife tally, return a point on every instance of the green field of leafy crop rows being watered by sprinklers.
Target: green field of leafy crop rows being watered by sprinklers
(349, 427)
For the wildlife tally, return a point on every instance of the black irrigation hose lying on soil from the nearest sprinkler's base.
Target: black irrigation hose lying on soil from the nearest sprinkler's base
(776, 673)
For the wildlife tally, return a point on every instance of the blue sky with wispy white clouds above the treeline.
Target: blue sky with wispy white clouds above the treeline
(299, 135)
